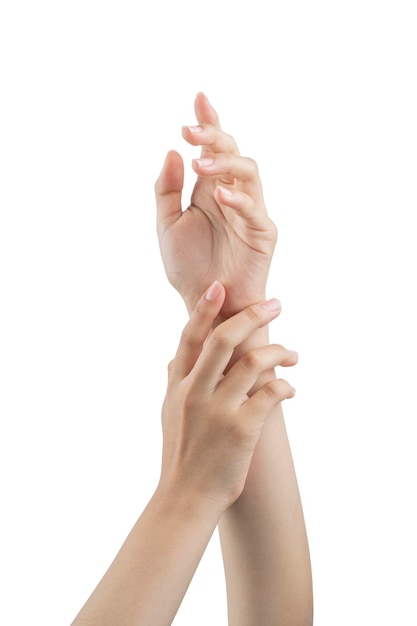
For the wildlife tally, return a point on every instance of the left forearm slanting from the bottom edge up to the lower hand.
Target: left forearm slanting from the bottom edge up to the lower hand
(147, 581)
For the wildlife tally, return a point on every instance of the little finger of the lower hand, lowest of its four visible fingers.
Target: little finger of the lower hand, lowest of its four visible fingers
(258, 406)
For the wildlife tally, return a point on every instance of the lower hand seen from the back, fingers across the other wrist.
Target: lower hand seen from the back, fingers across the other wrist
(210, 424)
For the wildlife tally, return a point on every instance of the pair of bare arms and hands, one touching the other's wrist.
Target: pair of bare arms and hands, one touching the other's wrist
(226, 458)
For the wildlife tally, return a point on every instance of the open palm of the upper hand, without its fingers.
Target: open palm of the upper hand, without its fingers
(210, 242)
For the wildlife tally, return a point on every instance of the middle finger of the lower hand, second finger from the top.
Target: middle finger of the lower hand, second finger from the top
(224, 339)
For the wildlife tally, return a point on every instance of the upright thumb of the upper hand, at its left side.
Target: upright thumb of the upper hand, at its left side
(168, 190)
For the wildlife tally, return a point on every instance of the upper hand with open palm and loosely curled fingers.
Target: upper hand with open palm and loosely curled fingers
(225, 233)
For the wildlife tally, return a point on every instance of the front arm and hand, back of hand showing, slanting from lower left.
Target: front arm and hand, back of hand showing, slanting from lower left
(210, 429)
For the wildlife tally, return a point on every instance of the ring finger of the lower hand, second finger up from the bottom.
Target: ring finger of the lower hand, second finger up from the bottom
(246, 371)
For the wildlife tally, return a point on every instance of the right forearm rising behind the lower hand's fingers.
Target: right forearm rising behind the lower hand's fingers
(264, 541)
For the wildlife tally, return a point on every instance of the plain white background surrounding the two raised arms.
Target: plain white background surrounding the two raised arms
(323, 95)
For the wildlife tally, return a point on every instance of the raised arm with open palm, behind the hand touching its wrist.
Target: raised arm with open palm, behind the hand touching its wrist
(263, 536)
